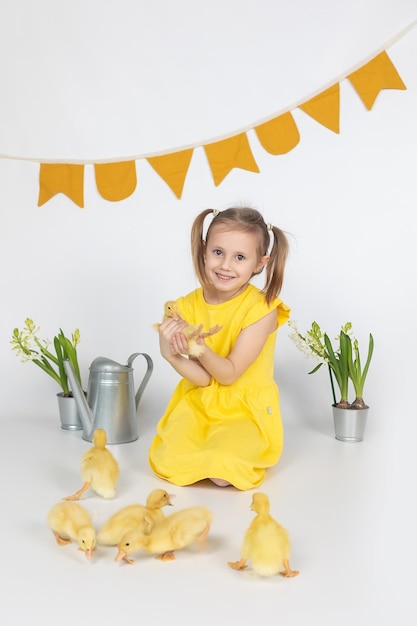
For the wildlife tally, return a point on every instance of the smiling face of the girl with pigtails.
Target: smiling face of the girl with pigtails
(231, 259)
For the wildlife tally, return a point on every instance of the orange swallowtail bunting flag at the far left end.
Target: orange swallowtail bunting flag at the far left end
(61, 178)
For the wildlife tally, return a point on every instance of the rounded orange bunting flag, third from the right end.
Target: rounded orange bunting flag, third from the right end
(278, 136)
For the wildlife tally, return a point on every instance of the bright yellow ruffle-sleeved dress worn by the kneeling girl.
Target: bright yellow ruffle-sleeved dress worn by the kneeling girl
(233, 431)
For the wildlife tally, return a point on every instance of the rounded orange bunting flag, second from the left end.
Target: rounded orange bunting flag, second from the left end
(115, 181)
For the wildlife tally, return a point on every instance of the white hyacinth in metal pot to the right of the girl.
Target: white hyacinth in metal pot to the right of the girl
(344, 365)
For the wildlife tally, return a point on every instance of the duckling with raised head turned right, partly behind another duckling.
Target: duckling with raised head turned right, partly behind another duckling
(134, 516)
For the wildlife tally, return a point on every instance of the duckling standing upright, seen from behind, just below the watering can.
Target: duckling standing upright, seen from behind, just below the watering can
(99, 469)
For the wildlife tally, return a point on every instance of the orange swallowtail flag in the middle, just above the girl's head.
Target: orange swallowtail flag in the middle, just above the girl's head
(225, 155)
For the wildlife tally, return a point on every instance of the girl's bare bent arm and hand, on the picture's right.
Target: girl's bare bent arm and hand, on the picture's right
(247, 348)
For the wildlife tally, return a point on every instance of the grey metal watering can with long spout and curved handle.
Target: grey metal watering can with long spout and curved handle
(111, 402)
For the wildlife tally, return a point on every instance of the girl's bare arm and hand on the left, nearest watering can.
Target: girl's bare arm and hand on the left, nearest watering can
(188, 368)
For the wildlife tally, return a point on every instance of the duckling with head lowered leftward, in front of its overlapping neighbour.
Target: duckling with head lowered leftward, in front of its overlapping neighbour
(178, 530)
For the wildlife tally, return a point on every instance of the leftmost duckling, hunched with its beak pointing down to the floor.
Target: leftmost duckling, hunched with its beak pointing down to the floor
(69, 521)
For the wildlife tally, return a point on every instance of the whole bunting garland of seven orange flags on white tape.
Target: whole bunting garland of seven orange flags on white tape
(278, 135)
